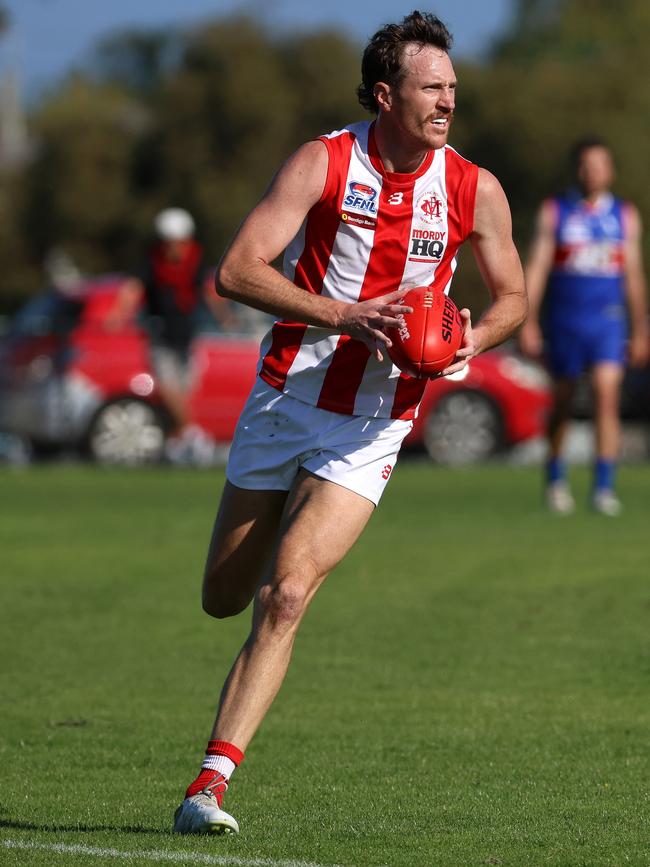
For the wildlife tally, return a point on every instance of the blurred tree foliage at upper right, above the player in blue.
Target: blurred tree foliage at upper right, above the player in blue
(566, 70)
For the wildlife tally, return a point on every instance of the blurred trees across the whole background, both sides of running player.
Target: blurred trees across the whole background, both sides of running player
(201, 119)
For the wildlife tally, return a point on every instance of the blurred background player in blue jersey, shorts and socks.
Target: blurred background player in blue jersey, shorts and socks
(585, 269)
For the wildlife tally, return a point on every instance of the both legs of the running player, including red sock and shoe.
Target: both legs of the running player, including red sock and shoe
(319, 524)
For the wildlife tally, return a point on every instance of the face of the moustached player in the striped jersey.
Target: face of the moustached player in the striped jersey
(422, 105)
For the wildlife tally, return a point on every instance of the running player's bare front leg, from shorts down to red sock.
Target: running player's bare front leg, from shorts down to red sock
(321, 522)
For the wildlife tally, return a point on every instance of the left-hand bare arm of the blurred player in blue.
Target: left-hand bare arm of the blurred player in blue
(538, 268)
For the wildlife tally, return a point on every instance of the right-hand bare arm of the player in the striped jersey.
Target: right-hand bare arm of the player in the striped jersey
(500, 268)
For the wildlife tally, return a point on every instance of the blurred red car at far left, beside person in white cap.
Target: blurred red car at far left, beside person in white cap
(67, 381)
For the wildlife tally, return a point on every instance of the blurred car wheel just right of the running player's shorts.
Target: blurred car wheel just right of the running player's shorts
(464, 427)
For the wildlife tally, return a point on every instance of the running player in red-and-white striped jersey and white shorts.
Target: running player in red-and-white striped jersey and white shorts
(361, 212)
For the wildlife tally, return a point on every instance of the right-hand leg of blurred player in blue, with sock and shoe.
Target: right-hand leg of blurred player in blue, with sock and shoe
(606, 381)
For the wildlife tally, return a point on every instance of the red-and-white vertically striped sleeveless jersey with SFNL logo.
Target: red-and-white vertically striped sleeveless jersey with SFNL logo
(370, 233)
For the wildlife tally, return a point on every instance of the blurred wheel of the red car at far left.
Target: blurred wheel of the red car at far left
(127, 431)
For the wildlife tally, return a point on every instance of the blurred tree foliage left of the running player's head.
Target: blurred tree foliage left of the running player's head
(197, 119)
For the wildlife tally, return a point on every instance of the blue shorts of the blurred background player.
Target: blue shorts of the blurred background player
(573, 348)
